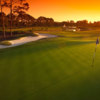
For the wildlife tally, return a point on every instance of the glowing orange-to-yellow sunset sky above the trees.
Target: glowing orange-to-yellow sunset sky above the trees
(62, 10)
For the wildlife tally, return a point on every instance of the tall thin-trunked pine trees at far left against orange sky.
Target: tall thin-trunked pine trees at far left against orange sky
(15, 7)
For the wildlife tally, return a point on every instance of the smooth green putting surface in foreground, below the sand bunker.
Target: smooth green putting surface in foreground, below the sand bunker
(51, 69)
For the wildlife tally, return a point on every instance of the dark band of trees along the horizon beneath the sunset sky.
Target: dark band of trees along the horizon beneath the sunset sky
(22, 19)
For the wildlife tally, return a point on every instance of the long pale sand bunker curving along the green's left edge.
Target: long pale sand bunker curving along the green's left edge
(28, 39)
